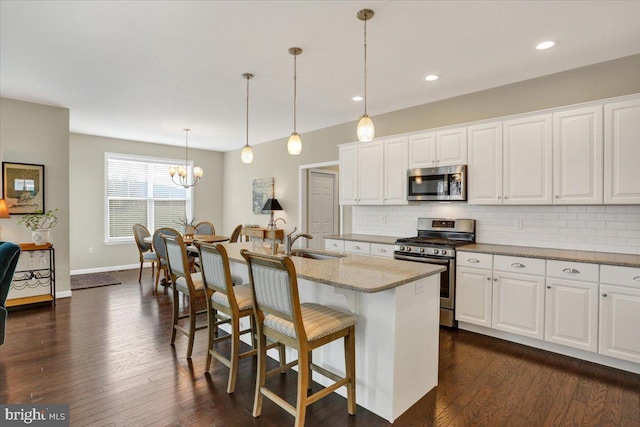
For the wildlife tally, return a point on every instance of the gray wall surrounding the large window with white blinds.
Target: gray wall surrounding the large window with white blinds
(87, 188)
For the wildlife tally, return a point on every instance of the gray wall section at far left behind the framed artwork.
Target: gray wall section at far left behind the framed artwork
(39, 134)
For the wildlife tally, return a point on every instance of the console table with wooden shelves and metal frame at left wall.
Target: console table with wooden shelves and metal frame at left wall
(34, 280)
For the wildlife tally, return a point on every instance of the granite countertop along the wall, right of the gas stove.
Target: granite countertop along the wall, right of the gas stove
(607, 258)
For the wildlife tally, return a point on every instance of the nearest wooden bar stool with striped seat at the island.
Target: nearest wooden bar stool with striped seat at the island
(304, 327)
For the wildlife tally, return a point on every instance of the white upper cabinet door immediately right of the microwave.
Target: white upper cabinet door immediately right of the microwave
(484, 185)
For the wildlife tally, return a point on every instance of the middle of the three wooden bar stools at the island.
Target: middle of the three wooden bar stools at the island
(234, 302)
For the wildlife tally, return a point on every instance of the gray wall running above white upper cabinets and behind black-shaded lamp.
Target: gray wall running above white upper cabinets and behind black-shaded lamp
(599, 81)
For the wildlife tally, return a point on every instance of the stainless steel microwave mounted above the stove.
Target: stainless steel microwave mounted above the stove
(443, 183)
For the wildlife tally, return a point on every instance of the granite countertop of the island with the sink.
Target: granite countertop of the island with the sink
(356, 272)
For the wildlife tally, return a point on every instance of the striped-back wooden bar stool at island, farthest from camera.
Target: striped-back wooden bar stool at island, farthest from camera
(189, 284)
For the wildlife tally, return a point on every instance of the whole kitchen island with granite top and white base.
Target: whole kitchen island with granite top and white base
(397, 304)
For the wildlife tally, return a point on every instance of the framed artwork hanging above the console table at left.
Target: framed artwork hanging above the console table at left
(23, 187)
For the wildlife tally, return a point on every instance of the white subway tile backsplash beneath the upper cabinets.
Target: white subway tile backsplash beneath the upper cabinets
(586, 228)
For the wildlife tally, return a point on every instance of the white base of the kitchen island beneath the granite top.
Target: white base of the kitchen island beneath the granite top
(397, 339)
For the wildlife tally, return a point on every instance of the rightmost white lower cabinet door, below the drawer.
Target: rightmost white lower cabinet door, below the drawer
(620, 322)
